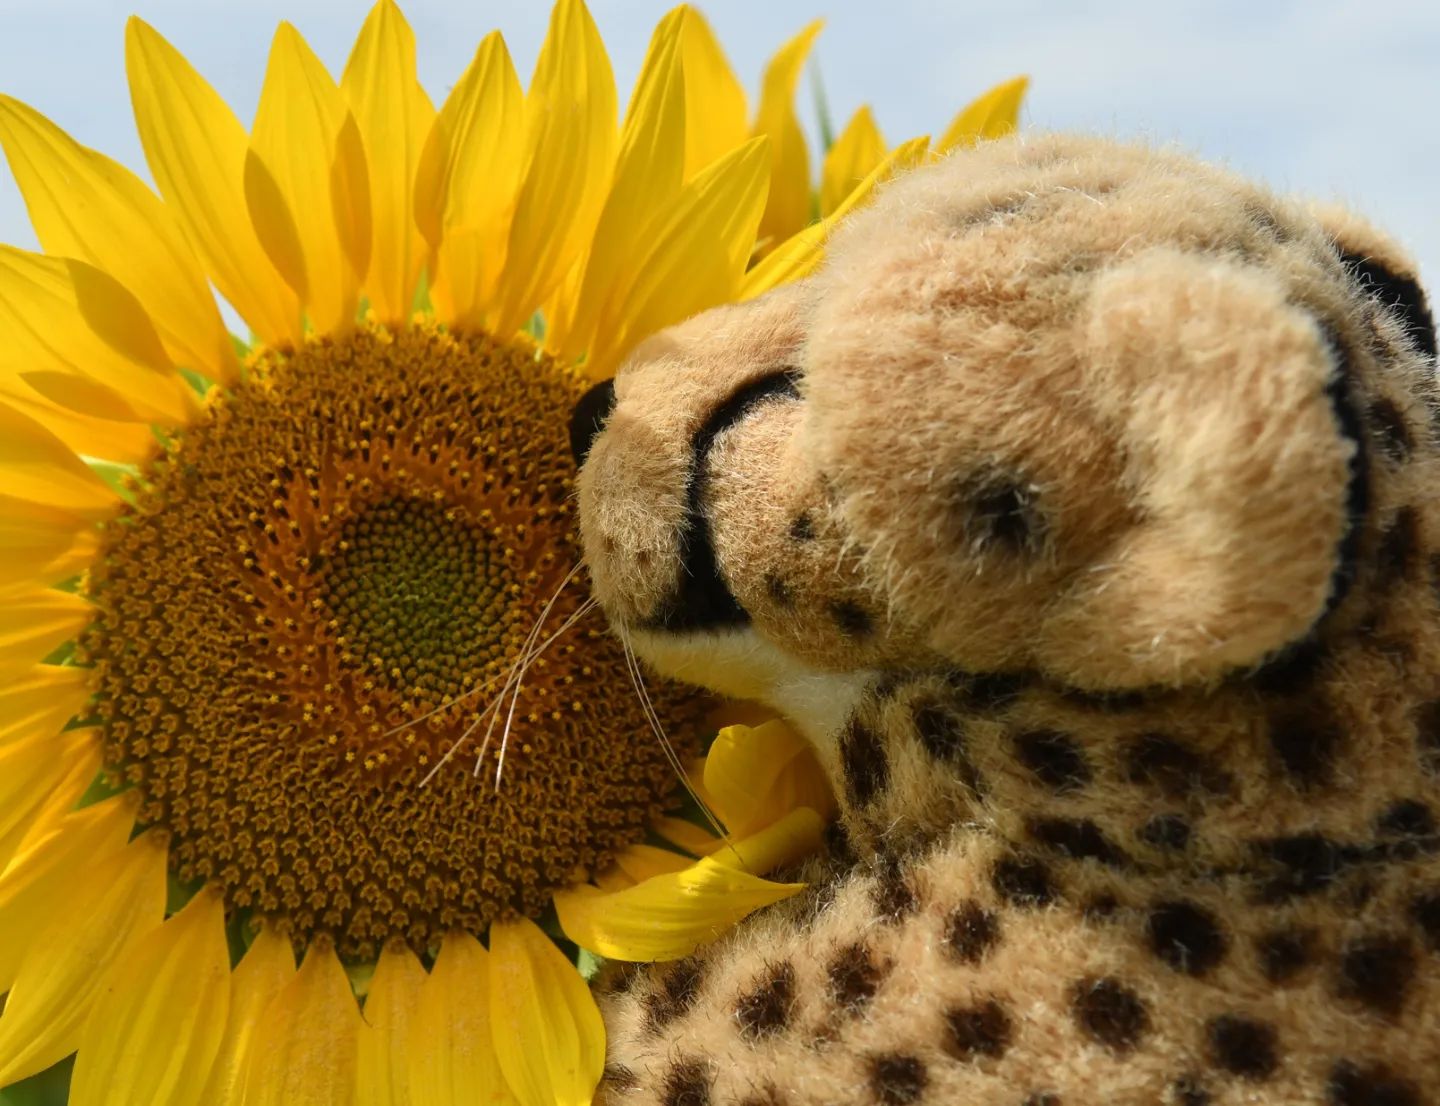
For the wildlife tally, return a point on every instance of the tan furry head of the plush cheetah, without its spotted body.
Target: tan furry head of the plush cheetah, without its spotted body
(1055, 407)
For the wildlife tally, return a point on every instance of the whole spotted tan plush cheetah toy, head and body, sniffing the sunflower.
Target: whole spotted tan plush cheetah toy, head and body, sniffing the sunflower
(1082, 513)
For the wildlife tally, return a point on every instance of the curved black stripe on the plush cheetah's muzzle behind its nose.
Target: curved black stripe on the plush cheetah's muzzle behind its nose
(702, 598)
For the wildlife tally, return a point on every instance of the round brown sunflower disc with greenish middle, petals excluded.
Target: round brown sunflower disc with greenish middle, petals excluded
(310, 629)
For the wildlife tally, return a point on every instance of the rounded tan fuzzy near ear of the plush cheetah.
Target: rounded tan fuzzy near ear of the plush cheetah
(1239, 456)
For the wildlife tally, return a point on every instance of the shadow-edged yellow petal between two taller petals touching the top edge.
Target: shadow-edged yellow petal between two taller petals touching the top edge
(466, 188)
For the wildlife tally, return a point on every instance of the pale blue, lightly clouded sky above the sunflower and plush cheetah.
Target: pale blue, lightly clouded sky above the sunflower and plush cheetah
(1327, 99)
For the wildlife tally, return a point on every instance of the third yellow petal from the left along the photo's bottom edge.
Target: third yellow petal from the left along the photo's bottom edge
(305, 1049)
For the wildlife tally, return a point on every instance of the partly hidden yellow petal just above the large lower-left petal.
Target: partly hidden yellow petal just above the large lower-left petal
(41, 876)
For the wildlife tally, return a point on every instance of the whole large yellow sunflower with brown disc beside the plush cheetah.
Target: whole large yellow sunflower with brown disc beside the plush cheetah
(296, 657)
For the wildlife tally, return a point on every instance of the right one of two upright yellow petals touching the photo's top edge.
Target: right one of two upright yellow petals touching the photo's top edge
(571, 126)
